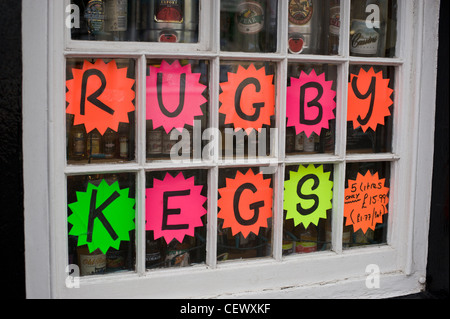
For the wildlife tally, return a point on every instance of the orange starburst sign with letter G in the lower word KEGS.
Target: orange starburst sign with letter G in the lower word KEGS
(245, 203)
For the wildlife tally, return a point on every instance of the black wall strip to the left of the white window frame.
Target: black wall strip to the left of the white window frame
(12, 267)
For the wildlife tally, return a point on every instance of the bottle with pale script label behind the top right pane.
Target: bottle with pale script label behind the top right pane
(368, 28)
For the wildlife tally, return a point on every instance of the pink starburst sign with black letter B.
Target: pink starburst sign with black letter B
(310, 103)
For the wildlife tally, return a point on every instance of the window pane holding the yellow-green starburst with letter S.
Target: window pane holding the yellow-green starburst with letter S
(308, 193)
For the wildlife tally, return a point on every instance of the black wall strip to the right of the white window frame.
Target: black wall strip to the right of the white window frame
(438, 250)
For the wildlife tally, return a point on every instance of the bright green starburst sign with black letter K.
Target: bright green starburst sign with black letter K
(102, 216)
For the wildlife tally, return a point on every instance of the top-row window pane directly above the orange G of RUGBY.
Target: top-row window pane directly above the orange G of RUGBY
(248, 26)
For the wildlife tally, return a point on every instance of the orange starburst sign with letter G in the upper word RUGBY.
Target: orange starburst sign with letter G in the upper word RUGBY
(248, 99)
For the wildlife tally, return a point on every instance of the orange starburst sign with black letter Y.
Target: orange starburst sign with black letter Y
(369, 99)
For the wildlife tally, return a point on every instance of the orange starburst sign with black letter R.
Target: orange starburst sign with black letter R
(100, 95)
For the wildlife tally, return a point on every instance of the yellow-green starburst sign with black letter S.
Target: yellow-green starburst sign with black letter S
(307, 195)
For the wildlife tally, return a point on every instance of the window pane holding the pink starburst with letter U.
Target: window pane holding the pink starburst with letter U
(177, 106)
